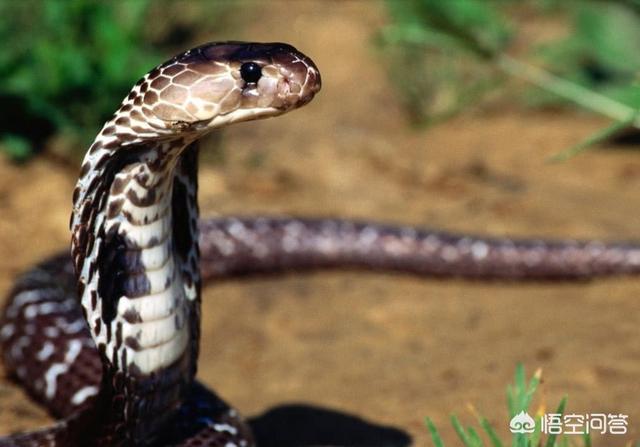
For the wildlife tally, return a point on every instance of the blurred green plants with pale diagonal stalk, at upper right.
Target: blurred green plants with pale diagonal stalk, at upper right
(446, 55)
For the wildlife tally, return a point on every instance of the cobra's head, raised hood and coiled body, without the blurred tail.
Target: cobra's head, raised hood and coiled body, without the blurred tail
(133, 326)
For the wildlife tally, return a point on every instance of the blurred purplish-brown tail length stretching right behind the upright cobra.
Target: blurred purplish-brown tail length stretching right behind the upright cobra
(237, 245)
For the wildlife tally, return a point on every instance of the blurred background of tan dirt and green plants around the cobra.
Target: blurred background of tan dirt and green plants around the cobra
(494, 117)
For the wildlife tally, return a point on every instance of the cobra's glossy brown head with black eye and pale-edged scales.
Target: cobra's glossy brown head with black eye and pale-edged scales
(221, 83)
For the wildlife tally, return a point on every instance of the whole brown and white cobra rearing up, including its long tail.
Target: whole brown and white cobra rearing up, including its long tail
(106, 337)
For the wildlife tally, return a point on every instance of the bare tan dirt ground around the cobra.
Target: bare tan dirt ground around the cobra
(391, 349)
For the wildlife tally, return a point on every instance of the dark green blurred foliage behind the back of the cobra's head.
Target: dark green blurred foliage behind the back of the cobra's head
(69, 63)
